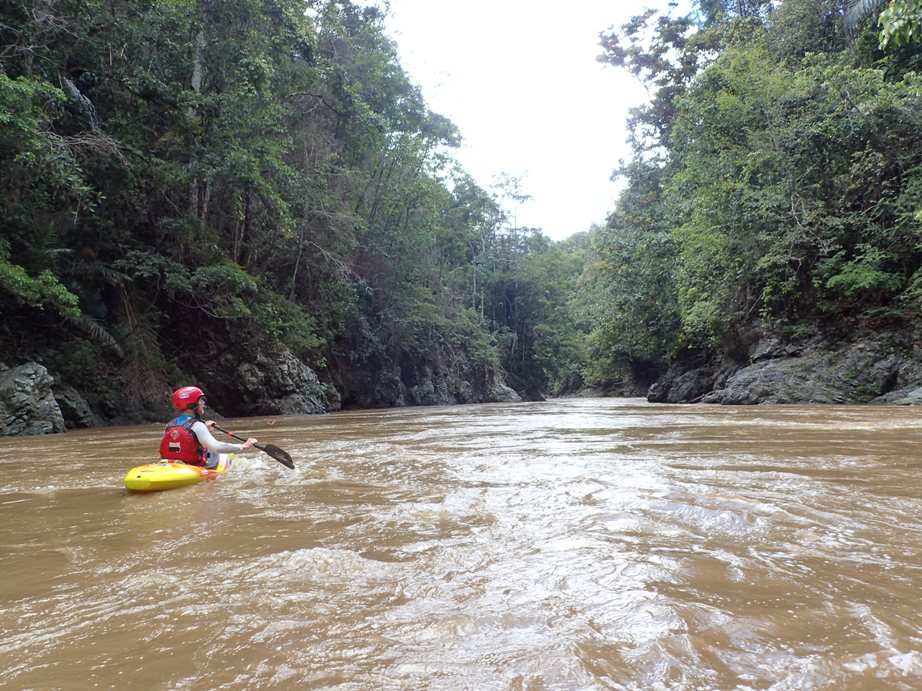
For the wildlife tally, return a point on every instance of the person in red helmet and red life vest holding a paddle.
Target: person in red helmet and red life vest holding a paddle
(187, 437)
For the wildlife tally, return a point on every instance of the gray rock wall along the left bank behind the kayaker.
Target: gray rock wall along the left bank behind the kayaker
(267, 382)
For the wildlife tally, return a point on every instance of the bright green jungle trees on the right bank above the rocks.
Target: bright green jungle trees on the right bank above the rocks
(775, 181)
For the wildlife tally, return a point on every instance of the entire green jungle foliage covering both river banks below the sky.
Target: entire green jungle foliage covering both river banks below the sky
(184, 176)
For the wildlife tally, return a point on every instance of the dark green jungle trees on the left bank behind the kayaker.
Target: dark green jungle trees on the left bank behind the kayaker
(184, 177)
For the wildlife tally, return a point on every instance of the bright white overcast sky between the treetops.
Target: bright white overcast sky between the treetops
(520, 80)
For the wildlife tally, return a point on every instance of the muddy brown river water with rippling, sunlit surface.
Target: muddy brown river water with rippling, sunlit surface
(573, 544)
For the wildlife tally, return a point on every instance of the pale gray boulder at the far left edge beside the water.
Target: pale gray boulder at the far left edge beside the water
(27, 403)
